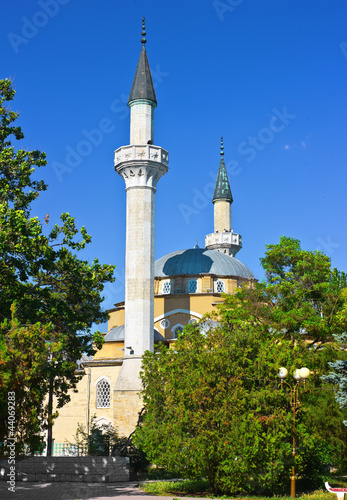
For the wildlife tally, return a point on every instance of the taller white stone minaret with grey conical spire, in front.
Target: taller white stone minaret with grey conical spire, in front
(141, 164)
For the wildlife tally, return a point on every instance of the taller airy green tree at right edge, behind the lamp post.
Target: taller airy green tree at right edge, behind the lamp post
(303, 298)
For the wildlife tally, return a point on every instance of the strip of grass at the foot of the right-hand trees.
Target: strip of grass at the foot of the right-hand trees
(201, 488)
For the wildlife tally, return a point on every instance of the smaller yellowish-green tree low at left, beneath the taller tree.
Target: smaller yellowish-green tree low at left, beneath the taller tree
(24, 359)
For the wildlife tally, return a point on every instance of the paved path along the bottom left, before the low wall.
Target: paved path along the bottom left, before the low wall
(76, 491)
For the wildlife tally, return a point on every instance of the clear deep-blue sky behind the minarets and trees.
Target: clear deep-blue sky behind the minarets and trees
(269, 75)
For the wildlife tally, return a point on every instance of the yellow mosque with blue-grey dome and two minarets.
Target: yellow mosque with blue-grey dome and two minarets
(160, 297)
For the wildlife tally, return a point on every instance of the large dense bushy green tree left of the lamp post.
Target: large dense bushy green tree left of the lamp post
(212, 409)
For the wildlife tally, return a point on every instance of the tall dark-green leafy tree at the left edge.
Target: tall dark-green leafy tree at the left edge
(42, 282)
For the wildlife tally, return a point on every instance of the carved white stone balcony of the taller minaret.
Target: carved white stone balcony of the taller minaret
(141, 166)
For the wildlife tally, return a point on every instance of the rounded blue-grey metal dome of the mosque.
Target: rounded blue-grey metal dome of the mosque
(195, 261)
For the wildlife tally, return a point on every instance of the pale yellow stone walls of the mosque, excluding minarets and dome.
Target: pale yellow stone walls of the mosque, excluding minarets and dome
(177, 308)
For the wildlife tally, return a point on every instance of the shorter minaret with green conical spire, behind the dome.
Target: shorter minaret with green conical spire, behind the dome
(223, 239)
